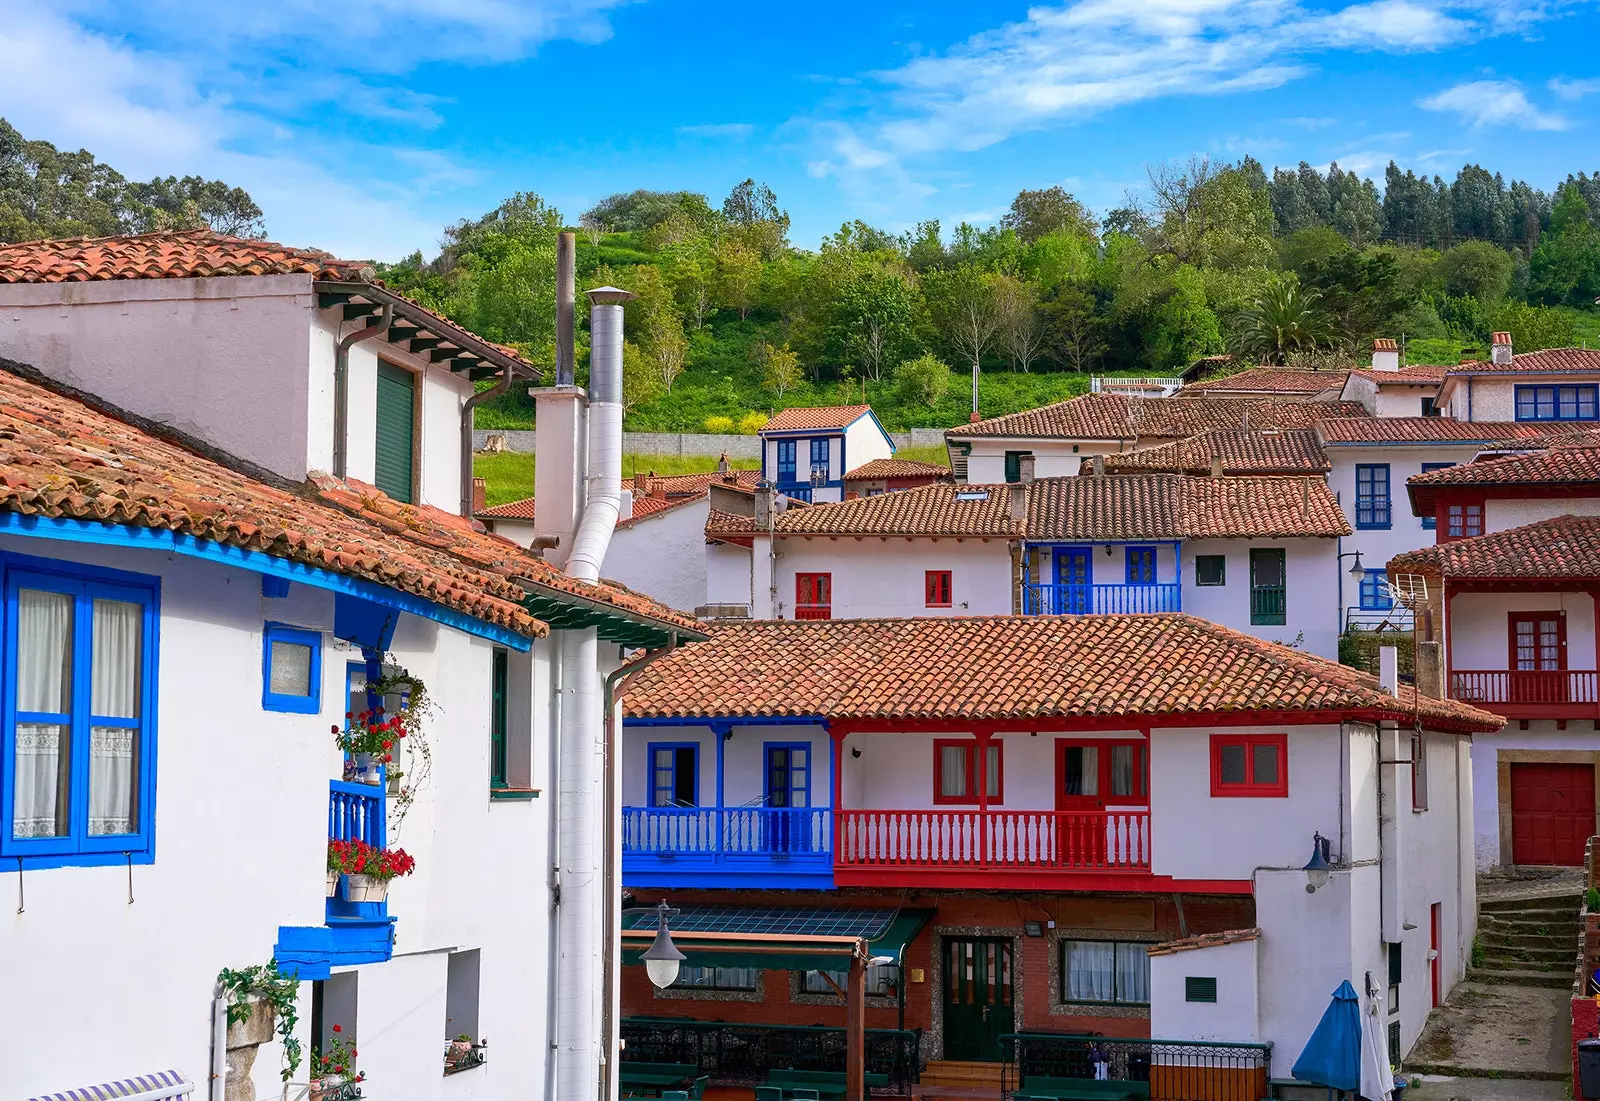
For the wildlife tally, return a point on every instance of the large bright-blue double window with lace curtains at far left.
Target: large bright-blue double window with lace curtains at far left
(78, 734)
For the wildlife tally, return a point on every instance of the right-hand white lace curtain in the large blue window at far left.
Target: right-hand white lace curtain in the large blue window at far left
(114, 751)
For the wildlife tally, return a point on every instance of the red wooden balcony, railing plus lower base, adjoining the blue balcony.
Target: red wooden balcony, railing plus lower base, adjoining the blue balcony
(980, 849)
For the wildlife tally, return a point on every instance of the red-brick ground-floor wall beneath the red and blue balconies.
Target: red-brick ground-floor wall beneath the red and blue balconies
(1142, 918)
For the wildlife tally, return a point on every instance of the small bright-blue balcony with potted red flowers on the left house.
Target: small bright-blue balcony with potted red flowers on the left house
(351, 932)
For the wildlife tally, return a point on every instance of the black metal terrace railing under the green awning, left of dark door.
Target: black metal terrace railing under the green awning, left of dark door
(746, 1054)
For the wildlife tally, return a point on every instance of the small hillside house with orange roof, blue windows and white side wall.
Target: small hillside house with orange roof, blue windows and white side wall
(807, 450)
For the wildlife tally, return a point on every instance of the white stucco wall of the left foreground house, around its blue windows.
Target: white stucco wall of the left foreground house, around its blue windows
(242, 812)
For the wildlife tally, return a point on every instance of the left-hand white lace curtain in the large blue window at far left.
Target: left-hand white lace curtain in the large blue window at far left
(44, 670)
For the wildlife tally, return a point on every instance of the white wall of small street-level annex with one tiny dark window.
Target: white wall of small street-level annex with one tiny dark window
(1233, 1019)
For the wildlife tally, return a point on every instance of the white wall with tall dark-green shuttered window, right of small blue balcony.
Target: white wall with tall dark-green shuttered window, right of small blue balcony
(1311, 604)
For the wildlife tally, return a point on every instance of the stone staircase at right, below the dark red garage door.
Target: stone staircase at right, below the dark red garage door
(1529, 942)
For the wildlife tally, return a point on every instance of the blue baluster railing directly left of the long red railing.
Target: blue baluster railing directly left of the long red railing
(718, 831)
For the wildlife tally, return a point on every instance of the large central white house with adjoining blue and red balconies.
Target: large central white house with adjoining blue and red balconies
(1092, 825)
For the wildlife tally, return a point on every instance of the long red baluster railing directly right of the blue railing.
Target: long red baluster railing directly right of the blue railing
(999, 839)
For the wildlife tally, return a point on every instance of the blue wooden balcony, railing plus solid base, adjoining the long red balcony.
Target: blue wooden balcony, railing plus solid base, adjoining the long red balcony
(729, 847)
